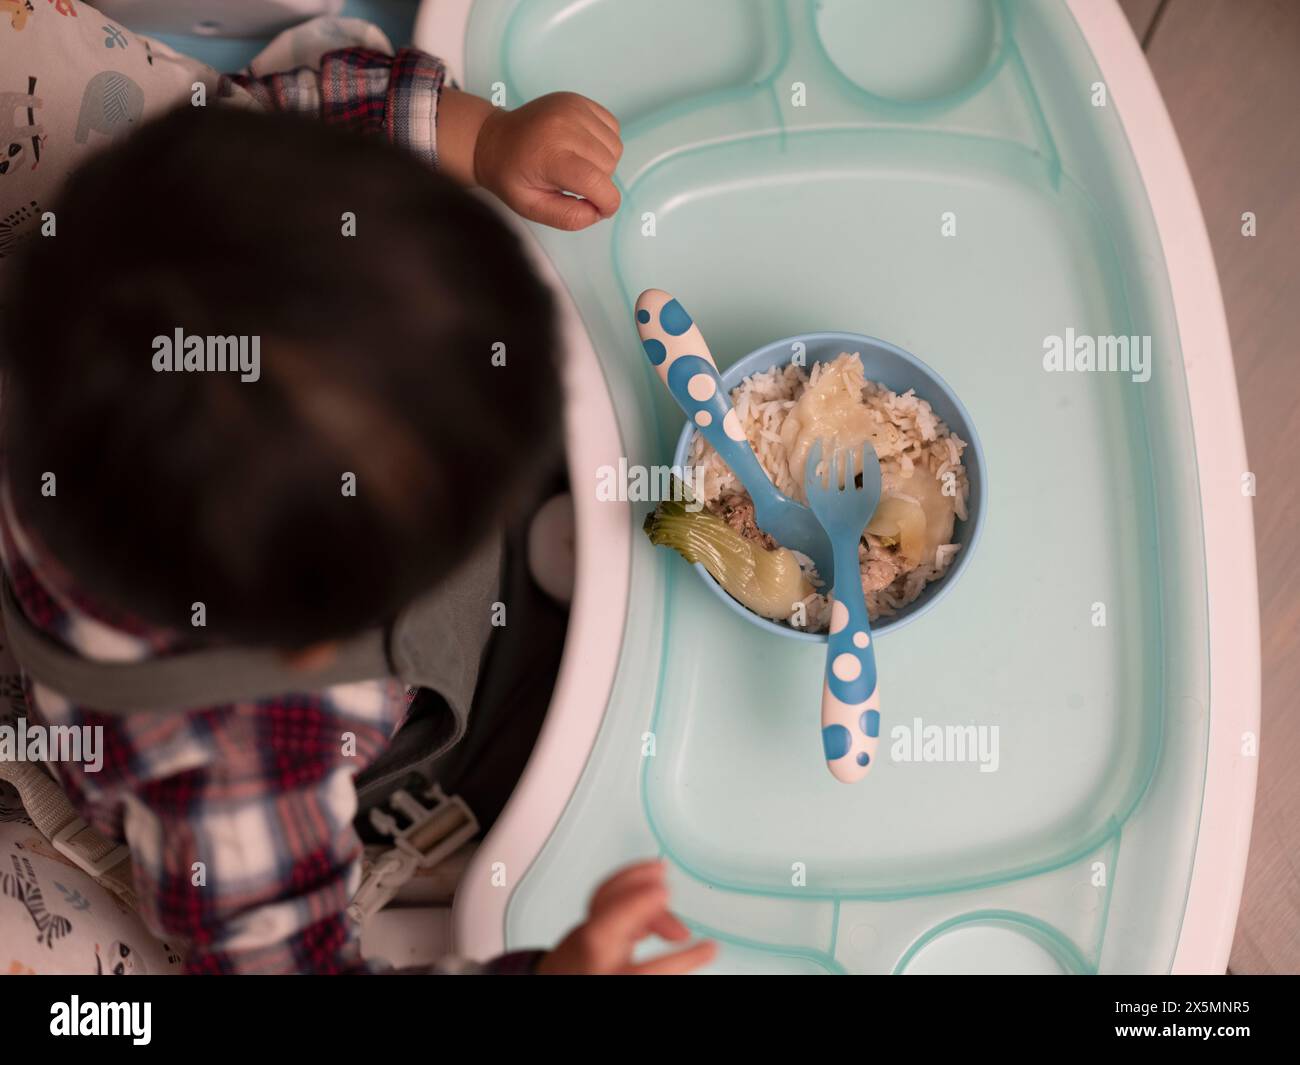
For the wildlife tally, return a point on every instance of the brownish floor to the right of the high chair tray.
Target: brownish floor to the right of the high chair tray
(1230, 75)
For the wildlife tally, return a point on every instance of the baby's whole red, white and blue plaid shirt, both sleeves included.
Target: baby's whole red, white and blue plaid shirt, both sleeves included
(240, 817)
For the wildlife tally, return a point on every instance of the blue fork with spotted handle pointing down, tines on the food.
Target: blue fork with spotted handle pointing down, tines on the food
(851, 700)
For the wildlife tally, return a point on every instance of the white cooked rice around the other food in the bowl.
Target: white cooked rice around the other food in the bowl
(762, 404)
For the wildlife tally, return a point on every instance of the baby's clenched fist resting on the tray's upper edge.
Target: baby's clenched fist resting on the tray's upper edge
(556, 145)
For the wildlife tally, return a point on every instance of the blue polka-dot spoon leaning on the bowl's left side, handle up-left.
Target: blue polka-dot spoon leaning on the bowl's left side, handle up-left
(678, 352)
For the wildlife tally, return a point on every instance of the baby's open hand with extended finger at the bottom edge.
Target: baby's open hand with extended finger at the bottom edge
(627, 908)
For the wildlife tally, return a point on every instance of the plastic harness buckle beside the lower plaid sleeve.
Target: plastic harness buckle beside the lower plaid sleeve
(434, 834)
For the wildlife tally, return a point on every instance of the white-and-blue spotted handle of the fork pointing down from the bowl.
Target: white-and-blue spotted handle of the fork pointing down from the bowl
(851, 696)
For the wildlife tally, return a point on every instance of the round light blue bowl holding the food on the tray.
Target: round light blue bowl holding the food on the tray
(898, 371)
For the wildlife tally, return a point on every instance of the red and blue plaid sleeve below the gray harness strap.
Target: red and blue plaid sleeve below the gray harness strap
(240, 821)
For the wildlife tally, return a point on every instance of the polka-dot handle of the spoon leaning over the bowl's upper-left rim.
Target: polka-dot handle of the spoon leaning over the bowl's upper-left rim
(678, 352)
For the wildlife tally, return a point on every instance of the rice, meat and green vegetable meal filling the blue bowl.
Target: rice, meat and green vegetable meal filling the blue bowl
(907, 546)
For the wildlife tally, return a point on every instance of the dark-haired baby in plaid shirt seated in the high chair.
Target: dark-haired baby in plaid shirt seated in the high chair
(406, 388)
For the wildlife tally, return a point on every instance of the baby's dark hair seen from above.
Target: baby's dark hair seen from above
(418, 357)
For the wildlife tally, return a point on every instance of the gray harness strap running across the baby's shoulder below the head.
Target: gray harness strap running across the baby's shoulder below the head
(437, 643)
